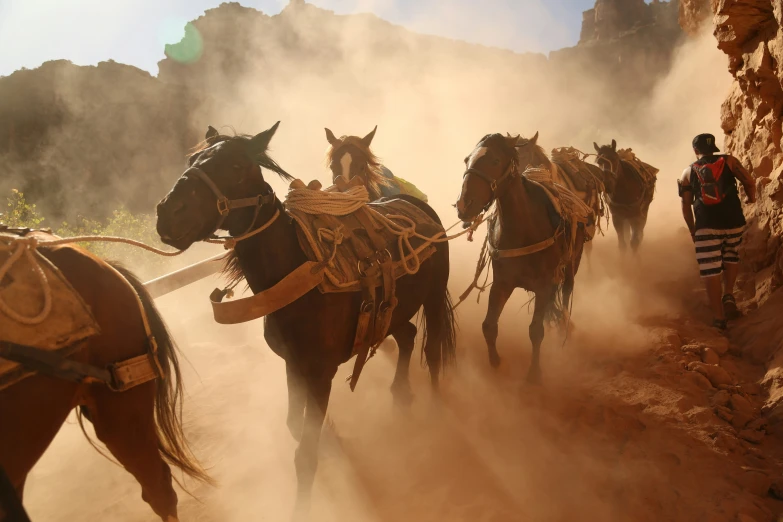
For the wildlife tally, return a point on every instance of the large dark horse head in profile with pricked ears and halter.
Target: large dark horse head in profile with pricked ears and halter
(223, 188)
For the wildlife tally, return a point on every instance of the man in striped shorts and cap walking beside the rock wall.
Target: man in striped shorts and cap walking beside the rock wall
(712, 210)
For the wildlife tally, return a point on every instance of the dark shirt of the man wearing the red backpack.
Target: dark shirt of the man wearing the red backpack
(724, 215)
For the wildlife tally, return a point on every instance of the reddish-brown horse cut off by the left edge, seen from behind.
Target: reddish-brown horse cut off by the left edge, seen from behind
(142, 426)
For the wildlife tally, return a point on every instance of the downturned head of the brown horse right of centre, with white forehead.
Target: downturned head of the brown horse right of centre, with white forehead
(492, 161)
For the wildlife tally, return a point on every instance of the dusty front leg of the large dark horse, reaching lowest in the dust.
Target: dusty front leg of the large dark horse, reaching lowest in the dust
(319, 387)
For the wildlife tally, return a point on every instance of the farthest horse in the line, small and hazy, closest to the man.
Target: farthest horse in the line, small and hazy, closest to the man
(629, 198)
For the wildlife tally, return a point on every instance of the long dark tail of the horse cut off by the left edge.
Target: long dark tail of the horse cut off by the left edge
(172, 443)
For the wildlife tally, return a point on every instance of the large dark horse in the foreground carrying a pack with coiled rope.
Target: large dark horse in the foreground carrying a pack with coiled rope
(314, 334)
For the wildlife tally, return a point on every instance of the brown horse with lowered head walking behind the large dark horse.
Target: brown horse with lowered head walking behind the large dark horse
(525, 217)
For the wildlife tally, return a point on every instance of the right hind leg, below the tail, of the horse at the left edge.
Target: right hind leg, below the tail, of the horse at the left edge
(125, 422)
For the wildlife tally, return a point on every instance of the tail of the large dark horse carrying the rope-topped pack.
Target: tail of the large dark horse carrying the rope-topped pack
(439, 332)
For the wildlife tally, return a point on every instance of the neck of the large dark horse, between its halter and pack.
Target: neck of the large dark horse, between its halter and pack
(269, 256)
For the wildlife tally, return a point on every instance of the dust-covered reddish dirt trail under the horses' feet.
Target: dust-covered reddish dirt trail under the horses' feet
(621, 430)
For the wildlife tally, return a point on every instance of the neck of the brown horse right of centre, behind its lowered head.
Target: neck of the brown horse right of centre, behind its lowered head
(524, 220)
